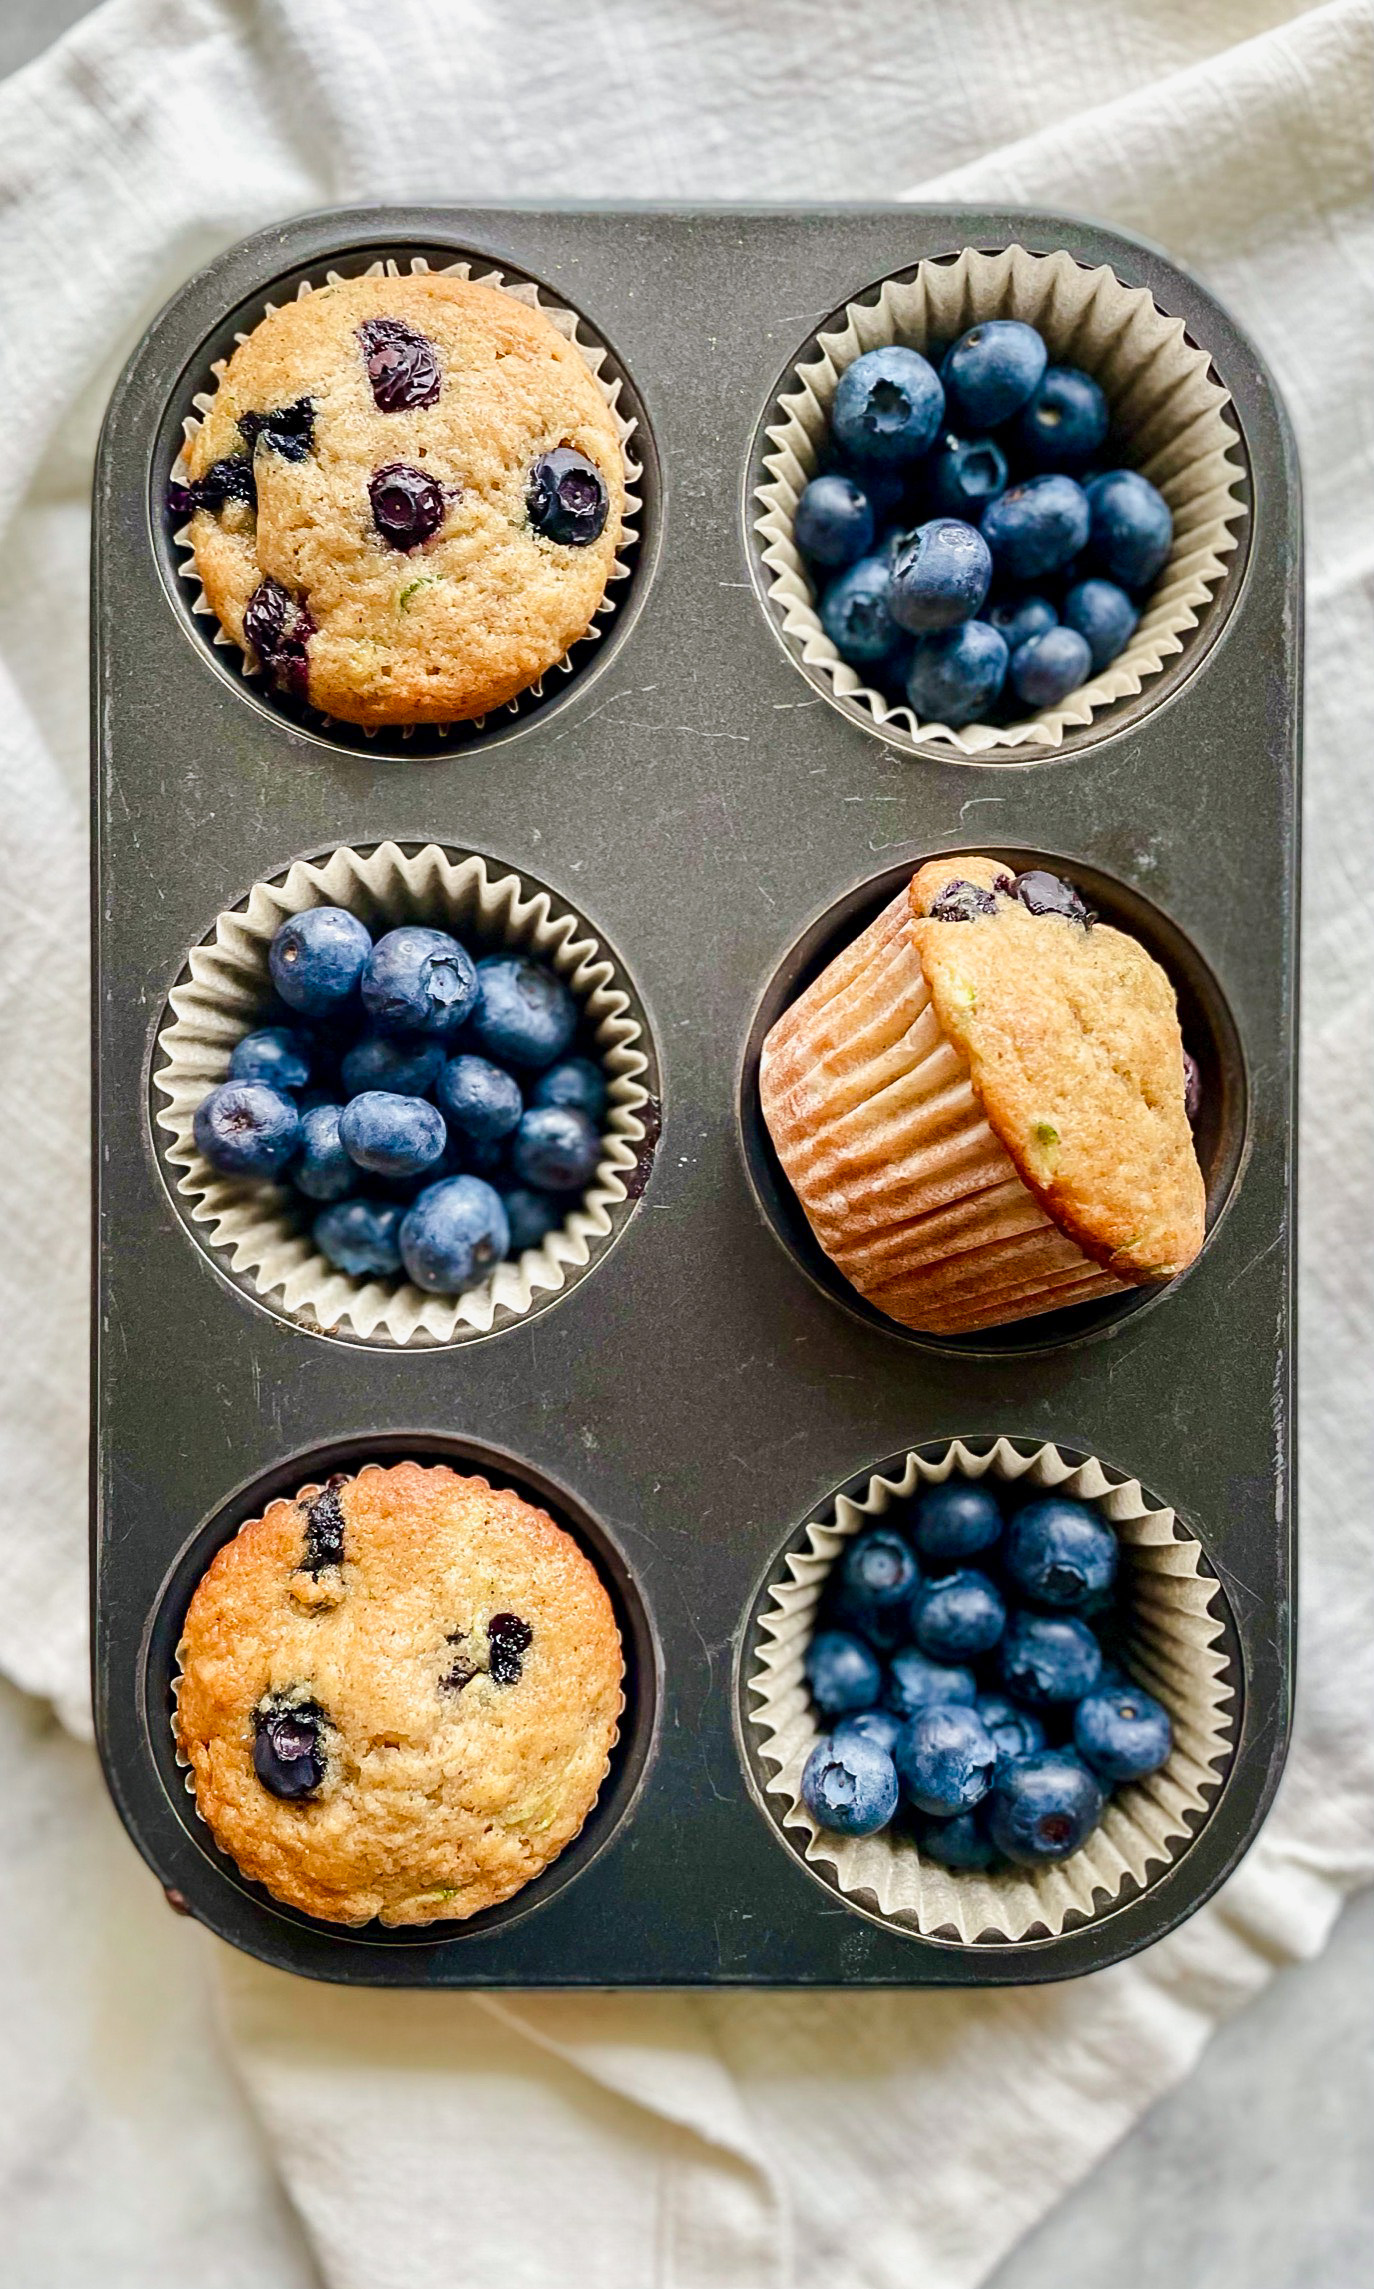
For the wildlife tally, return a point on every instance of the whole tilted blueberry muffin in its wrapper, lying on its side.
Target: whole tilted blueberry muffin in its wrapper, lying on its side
(984, 1104)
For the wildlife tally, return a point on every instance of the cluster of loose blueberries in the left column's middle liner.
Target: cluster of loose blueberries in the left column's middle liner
(423, 1102)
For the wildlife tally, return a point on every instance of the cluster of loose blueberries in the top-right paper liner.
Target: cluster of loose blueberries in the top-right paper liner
(981, 480)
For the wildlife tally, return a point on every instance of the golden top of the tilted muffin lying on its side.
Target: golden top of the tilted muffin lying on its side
(1075, 1050)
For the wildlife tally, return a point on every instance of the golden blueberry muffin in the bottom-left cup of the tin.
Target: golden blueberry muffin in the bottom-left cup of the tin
(400, 1695)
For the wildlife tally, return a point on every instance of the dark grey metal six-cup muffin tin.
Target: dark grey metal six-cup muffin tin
(704, 1391)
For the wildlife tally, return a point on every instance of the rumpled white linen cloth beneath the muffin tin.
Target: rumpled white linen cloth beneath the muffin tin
(764, 2141)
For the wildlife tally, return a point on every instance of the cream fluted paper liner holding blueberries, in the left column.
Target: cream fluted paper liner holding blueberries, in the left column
(260, 1226)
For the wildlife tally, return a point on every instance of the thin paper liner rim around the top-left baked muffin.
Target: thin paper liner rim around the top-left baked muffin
(594, 356)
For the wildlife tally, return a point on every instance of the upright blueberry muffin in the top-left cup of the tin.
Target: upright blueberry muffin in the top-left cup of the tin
(406, 498)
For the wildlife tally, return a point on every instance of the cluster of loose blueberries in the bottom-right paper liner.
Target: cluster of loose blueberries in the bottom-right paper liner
(974, 1700)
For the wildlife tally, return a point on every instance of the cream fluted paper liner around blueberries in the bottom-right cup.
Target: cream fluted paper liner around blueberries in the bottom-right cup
(1176, 1647)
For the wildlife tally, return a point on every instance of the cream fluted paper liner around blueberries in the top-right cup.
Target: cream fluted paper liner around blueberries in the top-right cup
(1169, 420)
